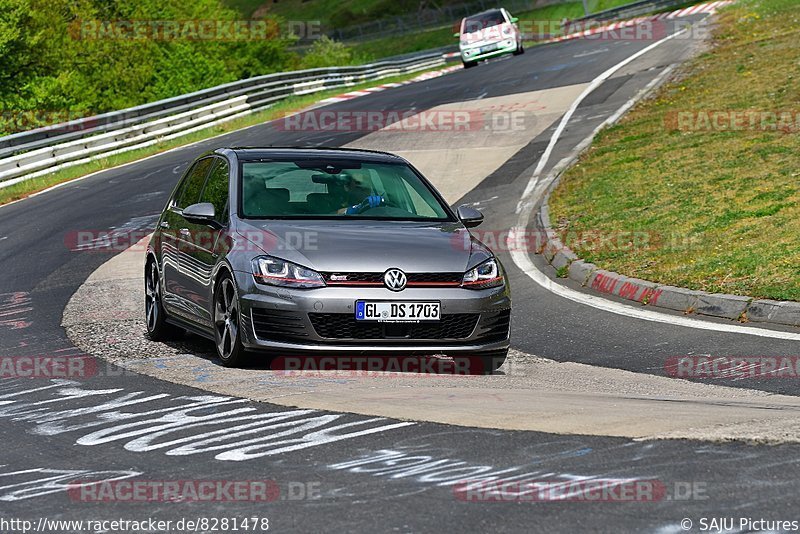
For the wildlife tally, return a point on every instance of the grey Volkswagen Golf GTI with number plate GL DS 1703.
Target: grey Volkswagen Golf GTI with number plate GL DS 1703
(289, 251)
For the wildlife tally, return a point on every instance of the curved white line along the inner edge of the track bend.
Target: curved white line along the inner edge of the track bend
(534, 192)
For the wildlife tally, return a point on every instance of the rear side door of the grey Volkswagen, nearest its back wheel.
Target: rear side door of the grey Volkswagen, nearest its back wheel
(178, 296)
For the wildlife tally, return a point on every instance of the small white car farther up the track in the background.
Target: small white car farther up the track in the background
(491, 33)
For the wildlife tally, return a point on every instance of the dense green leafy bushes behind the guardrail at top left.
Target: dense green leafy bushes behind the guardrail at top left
(48, 64)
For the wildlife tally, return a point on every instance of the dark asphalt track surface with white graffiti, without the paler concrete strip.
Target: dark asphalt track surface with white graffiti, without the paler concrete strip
(369, 474)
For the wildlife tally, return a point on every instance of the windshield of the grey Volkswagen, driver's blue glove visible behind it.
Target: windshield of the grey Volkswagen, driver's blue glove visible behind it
(336, 190)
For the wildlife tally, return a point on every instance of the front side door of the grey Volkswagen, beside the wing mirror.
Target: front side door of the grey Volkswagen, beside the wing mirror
(200, 254)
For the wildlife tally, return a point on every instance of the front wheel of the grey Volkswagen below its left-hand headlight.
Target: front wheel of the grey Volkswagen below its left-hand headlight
(227, 323)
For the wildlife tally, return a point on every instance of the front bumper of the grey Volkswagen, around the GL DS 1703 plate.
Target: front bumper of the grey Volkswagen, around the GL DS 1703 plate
(286, 321)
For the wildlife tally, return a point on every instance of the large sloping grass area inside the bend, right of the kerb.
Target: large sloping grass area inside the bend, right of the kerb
(721, 208)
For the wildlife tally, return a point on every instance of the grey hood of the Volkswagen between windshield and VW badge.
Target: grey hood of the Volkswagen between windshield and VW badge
(368, 246)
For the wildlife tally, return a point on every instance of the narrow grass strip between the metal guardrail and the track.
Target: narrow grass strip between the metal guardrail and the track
(291, 104)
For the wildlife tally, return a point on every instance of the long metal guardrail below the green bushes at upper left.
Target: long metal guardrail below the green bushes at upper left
(36, 152)
